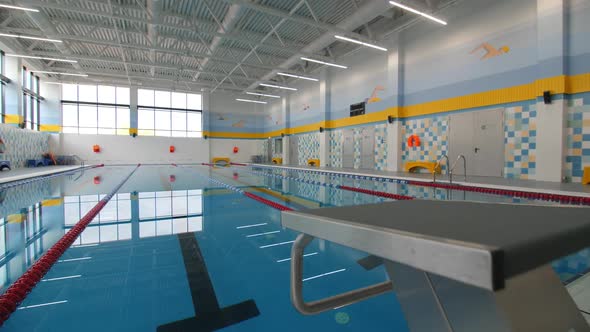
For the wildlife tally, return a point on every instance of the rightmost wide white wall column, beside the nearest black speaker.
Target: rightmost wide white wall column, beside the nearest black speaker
(551, 118)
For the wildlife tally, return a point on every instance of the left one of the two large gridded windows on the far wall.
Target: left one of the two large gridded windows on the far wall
(92, 109)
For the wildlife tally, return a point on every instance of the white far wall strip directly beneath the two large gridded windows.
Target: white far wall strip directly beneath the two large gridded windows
(129, 150)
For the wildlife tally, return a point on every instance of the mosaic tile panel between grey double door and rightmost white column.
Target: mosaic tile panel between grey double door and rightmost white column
(520, 140)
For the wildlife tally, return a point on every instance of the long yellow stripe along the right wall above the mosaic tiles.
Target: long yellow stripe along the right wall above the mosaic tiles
(557, 85)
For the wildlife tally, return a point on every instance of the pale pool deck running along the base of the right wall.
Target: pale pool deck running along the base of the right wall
(571, 189)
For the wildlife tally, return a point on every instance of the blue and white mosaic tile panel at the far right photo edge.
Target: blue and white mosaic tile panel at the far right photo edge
(578, 139)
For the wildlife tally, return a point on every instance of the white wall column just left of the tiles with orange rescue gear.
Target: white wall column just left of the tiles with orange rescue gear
(395, 82)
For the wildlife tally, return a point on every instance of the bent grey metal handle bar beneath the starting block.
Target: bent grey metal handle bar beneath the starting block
(315, 307)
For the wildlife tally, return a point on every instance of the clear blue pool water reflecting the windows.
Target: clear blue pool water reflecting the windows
(175, 249)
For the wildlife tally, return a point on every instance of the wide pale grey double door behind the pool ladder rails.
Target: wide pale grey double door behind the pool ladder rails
(479, 136)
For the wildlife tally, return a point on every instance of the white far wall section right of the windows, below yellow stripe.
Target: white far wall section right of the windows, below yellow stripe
(225, 147)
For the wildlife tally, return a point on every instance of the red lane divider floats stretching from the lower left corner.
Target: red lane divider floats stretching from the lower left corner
(18, 291)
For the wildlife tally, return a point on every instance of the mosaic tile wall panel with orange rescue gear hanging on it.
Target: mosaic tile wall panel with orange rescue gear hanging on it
(434, 138)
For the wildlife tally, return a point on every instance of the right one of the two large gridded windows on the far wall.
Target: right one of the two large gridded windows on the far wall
(171, 114)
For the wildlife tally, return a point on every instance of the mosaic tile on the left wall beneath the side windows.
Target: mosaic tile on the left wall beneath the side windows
(22, 144)
